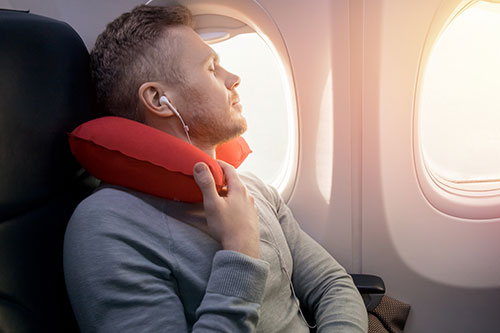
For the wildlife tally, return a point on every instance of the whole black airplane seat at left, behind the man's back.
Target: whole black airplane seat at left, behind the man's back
(45, 92)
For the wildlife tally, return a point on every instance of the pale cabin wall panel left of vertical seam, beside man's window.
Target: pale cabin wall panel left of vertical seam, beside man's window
(317, 38)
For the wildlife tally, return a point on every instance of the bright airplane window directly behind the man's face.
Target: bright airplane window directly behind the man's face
(266, 105)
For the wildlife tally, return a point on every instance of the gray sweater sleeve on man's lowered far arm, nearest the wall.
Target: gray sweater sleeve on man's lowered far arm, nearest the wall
(320, 282)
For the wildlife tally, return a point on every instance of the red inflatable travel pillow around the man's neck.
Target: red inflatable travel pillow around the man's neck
(124, 152)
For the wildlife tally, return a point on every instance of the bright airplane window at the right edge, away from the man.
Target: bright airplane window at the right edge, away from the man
(459, 106)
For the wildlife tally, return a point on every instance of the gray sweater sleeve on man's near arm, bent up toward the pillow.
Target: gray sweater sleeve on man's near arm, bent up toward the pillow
(120, 278)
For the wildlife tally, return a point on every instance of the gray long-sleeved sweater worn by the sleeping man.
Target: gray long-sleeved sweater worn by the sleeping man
(136, 263)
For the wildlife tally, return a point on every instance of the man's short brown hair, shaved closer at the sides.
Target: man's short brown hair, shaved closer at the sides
(127, 54)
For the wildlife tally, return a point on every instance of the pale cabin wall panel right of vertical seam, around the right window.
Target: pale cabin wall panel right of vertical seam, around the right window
(443, 266)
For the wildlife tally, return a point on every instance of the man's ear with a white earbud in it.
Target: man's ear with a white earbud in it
(149, 98)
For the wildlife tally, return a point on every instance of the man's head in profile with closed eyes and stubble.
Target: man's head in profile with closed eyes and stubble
(153, 52)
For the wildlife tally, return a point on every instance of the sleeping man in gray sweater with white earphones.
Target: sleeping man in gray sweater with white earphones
(237, 263)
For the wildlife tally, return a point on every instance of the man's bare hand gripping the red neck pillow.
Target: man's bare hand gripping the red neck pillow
(232, 219)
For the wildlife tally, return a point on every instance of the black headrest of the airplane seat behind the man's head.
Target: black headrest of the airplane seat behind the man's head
(44, 92)
